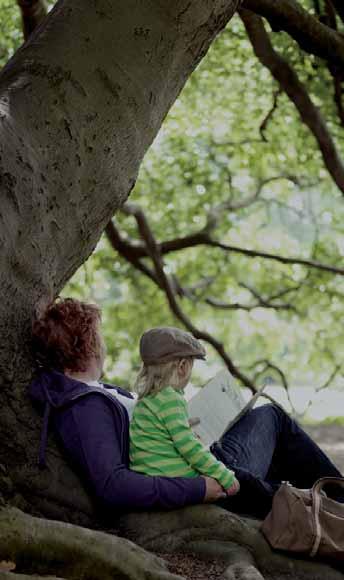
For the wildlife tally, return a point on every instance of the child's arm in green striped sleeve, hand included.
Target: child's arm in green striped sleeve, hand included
(175, 418)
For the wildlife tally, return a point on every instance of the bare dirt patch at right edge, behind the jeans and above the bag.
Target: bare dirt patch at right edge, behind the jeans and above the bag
(331, 440)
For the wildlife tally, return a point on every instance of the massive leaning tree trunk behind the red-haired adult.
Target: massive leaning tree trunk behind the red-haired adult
(80, 103)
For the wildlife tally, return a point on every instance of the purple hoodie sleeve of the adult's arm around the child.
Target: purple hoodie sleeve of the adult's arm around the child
(91, 433)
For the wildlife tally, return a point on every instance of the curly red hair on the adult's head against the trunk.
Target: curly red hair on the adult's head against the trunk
(66, 336)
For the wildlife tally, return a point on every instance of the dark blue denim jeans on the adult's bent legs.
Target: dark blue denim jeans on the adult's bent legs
(264, 448)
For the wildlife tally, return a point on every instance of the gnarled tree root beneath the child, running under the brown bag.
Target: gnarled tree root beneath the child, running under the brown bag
(213, 532)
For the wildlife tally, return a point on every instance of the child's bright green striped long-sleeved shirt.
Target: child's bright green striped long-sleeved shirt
(162, 442)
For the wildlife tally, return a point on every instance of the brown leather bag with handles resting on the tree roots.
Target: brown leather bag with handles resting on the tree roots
(306, 521)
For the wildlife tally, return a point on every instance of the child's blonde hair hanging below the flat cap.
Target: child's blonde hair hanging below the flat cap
(154, 378)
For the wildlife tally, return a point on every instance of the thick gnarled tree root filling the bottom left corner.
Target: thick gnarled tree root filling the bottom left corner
(38, 547)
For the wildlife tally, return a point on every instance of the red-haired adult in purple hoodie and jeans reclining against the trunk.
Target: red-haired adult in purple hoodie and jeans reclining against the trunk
(92, 421)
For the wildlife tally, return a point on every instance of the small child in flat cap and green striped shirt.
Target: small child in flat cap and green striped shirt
(161, 440)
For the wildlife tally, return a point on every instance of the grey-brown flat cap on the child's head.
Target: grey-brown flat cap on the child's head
(166, 343)
